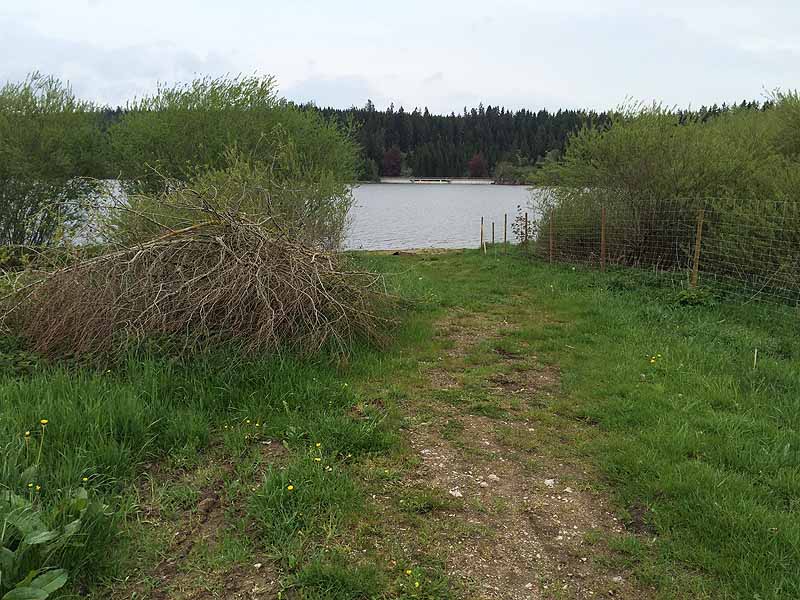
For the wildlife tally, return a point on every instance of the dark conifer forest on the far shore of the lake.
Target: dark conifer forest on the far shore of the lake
(487, 141)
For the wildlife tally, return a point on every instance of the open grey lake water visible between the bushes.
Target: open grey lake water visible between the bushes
(396, 216)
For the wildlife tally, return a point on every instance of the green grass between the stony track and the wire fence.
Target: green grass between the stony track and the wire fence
(702, 445)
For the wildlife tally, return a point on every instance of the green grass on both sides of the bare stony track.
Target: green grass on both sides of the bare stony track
(698, 448)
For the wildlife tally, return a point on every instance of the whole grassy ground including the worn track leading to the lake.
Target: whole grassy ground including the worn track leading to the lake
(633, 448)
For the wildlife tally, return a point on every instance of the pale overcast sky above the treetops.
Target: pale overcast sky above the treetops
(443, 54)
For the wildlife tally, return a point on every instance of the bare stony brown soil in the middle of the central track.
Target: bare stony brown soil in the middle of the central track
(529, 518)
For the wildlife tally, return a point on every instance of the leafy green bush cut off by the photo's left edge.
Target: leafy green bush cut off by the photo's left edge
(49, 140)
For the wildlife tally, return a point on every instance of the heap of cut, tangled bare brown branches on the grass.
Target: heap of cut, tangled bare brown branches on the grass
(223, 279)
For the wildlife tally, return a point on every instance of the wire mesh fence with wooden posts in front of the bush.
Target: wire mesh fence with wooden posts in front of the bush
(746, 250)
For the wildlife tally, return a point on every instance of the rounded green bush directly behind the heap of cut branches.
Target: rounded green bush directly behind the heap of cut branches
(294, 167)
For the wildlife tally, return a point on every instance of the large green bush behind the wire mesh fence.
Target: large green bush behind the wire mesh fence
(653, 170)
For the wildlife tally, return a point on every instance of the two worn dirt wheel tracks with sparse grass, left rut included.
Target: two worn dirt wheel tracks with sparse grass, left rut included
(498, 494)
